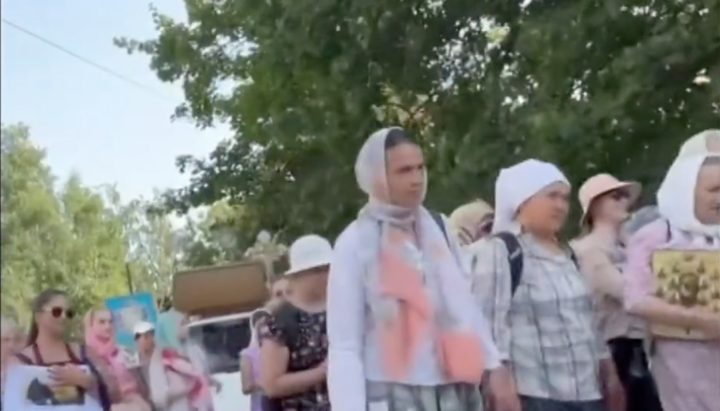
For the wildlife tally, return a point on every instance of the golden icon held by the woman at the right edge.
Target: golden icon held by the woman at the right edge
(690, 278)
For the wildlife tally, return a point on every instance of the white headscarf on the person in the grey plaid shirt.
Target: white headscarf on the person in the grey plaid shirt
(517, 184)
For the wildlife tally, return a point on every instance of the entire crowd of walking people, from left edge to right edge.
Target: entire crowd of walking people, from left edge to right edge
(488, 309)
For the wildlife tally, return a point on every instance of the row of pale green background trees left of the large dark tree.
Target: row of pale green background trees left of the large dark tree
(84, 241)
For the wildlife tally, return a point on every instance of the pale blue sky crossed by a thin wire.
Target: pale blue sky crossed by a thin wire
(89, 122)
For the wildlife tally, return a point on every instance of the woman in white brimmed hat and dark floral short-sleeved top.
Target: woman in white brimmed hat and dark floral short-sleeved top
(293, 340)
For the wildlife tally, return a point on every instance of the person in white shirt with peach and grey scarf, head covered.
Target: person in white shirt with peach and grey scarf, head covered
(403, 328)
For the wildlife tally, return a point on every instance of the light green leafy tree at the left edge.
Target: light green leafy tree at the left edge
(65, 239)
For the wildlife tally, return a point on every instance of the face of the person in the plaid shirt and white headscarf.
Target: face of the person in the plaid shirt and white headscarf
(547, 210)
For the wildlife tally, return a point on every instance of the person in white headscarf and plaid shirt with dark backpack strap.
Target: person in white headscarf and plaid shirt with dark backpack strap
(538, 303)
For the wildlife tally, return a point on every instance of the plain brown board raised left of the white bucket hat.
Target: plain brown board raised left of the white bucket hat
(221, 290)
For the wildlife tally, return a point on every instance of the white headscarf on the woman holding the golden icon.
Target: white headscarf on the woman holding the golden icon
(676, 196)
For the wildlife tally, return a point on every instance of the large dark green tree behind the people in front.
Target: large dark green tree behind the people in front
(589, 85)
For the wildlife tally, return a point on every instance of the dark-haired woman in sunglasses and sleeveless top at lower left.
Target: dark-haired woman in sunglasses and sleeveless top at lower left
(47, 347)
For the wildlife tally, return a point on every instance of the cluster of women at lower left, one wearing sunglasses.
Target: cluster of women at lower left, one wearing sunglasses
(172, 373)
